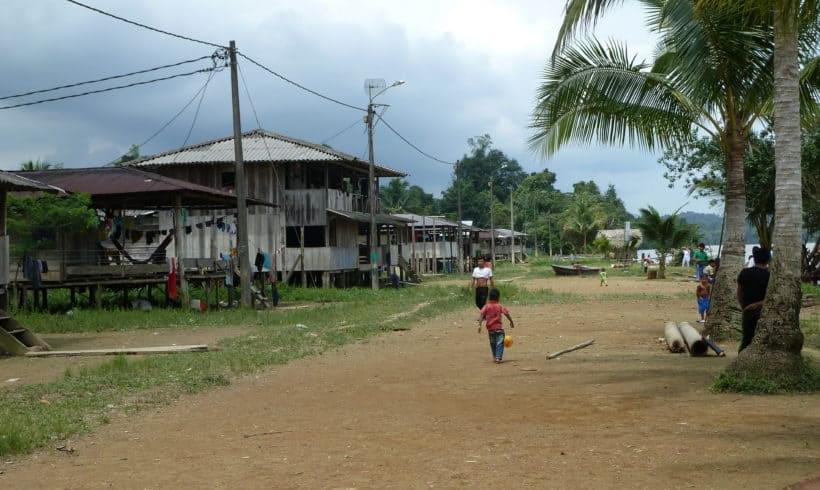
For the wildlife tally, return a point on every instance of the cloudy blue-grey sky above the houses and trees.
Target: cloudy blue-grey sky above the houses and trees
(471, 67)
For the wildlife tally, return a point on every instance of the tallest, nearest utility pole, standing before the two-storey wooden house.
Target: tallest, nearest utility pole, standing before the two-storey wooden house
(240, 185)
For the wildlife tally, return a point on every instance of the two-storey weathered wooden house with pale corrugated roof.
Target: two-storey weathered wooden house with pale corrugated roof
(318, 233)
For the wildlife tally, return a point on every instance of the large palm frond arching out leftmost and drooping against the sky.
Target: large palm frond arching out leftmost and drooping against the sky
(598, 92)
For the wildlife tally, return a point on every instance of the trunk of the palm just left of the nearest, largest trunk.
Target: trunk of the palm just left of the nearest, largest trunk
(724, 312)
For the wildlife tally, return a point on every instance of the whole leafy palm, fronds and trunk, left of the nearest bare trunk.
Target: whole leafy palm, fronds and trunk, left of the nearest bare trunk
(712, 73)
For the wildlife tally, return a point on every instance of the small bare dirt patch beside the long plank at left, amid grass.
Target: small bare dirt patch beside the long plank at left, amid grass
(28, 370)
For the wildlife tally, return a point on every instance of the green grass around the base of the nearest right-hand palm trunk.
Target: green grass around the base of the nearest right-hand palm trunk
(808, 381)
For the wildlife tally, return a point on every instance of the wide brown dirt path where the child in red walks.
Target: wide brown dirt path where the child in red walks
(427, 408)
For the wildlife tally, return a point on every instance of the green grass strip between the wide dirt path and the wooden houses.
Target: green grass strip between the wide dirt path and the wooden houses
(32, 416)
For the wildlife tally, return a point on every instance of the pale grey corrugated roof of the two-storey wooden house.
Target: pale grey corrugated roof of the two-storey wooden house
(259, 146)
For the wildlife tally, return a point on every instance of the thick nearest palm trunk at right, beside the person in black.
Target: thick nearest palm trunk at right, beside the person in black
(775, 350)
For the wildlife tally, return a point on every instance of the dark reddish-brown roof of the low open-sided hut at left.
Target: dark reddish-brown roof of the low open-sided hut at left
(131, 188)
